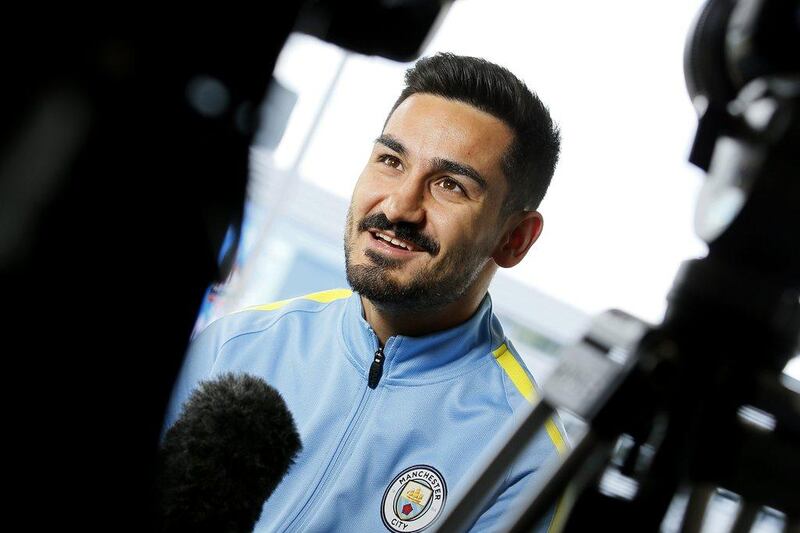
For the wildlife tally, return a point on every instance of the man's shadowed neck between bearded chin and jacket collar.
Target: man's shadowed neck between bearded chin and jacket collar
(387, 322)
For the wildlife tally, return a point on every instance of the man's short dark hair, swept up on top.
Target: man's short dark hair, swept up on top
(531, 159)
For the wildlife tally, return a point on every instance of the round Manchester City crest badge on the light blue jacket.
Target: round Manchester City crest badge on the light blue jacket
(414, 499)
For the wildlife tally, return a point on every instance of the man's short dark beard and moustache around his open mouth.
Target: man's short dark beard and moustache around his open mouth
(429, 287)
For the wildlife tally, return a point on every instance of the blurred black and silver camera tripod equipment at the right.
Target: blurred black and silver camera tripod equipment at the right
(698, 405)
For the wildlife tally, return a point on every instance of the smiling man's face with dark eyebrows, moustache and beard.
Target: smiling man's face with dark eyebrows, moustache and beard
(423, 221)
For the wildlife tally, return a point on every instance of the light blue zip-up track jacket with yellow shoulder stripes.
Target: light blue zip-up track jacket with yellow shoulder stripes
(384, 458)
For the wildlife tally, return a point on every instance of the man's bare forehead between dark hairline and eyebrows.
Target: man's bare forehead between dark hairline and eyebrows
(431, 126)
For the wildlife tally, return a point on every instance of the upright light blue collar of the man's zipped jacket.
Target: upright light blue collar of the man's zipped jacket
(435, 357)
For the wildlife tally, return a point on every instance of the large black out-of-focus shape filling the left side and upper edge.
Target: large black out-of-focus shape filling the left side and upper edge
(123, 164)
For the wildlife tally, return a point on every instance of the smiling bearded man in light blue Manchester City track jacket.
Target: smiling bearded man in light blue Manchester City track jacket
(396, 388)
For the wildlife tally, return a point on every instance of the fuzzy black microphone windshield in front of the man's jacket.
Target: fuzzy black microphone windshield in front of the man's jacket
(232, 444)
